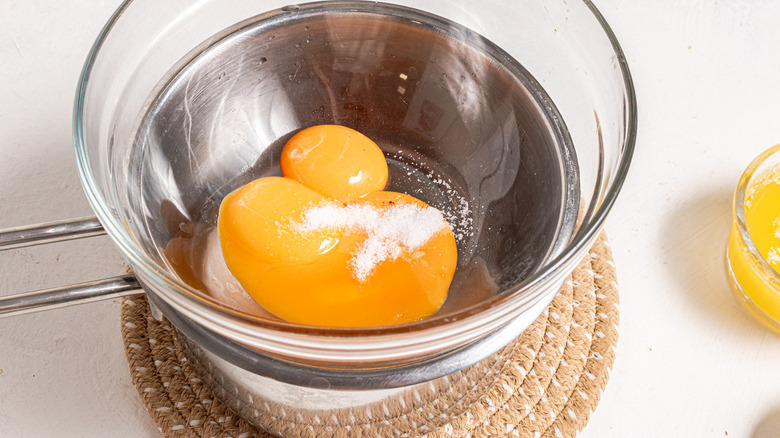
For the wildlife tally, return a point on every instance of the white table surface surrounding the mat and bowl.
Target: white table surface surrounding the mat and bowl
(690, 361)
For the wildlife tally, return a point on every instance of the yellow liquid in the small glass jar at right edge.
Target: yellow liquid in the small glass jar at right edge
(762, 217)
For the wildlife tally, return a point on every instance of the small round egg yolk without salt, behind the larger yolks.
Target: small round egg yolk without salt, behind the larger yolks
(336, 161)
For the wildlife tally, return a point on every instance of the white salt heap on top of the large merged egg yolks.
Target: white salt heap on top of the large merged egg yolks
(391, 231)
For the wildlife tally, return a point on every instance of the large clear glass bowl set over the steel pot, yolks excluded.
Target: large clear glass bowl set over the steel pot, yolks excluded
(560, 59)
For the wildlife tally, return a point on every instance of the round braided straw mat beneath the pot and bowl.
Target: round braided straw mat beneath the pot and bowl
(551, 382)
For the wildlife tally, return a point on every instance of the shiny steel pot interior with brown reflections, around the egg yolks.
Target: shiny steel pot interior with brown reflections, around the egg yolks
(463, 125)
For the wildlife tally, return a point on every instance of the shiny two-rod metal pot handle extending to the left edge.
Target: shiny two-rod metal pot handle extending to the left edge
(67, 295)
